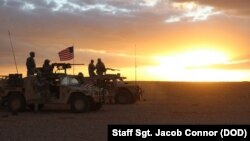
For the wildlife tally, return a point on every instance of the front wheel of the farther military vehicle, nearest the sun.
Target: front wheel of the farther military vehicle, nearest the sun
(123, 97)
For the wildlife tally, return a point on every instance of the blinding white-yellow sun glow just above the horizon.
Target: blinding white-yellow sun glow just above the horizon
(188, 67)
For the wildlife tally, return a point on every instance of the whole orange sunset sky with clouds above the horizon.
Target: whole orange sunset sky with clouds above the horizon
(176, 40)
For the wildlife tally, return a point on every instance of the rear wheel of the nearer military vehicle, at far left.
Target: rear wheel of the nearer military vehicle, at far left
(16, 103)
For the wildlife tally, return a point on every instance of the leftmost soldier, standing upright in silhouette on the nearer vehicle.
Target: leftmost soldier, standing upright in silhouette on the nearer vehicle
(30, 64)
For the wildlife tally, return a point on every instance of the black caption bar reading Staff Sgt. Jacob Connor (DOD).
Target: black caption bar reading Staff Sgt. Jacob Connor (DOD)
(163, 132)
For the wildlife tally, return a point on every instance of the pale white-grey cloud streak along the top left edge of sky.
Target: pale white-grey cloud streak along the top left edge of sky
(68, 6)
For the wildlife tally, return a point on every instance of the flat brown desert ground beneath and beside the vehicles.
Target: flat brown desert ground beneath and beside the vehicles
(163, 103)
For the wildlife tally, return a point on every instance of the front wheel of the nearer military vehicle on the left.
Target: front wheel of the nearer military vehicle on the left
(80, 104)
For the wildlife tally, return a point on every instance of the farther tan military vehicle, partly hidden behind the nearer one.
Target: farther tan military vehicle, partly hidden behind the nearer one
(117, 90)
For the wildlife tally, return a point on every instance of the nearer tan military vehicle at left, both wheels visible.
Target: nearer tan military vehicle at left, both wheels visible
(17, 93)
